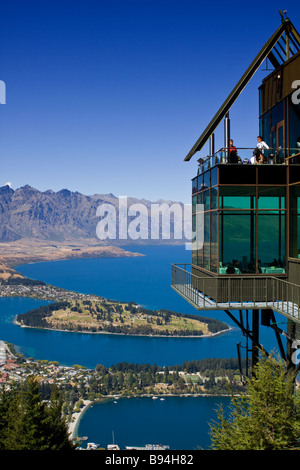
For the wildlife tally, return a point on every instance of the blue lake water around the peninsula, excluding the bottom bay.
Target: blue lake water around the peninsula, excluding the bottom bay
(145, 280)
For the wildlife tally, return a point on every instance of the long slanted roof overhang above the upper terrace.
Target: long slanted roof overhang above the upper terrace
(284, 43)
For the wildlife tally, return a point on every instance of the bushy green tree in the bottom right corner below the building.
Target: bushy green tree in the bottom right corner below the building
(266, 417)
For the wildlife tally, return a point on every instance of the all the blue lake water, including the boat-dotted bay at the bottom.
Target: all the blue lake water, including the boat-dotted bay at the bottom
(145, 280)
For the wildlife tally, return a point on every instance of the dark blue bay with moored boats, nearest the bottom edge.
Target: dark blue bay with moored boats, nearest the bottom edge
(180, 422)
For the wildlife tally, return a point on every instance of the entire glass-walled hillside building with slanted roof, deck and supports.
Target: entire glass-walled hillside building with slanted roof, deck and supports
(246, 207)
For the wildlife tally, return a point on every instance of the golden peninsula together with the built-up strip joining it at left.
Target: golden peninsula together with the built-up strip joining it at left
(88, 313)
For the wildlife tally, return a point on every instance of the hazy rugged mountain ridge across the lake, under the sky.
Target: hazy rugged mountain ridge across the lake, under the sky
(58, 216)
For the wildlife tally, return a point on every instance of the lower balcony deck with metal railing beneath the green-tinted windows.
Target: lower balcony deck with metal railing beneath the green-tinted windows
(228, 293)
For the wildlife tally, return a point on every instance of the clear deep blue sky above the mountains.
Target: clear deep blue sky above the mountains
(109, 96)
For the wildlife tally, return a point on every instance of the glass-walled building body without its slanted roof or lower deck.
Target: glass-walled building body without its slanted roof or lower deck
(251, 213)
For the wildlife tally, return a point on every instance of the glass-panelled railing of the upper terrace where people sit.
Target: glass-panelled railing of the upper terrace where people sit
(271, 156)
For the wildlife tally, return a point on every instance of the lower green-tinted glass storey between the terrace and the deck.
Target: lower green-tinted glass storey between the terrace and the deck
(244, 219)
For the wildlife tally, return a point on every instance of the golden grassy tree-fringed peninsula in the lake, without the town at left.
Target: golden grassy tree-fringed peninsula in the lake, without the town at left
(108, 316)
